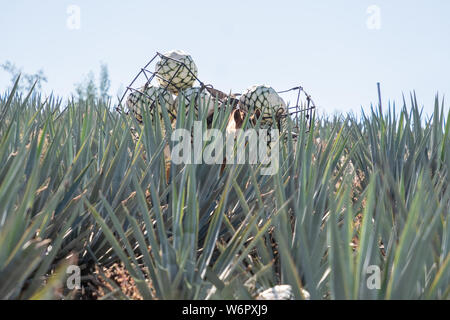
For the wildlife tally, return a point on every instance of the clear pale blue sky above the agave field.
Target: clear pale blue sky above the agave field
(337, 50)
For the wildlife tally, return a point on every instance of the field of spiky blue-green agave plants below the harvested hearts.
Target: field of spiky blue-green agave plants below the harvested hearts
(359, 208)
